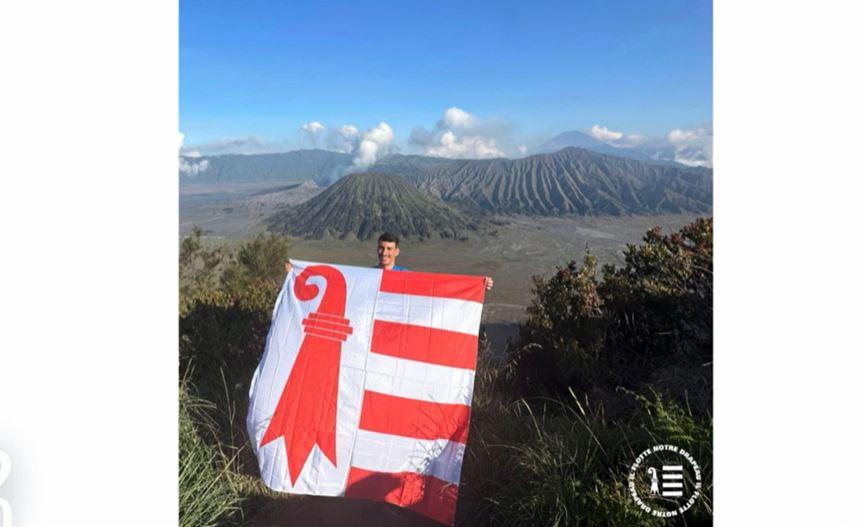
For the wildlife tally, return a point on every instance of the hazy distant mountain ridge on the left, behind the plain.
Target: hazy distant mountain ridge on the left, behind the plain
(299, 165)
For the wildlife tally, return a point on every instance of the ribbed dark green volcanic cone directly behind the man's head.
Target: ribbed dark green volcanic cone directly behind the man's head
(365, 205)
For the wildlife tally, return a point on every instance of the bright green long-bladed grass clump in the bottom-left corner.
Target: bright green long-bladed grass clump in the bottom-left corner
(206, 496)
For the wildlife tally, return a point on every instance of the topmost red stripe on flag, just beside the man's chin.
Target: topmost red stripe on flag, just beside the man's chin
(432, 284)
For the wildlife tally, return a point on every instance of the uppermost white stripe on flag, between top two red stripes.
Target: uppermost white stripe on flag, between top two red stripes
(440, 313)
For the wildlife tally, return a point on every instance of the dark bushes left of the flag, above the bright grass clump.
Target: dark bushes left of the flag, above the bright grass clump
(223, 327)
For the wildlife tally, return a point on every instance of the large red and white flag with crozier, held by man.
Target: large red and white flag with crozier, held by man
(365, 386)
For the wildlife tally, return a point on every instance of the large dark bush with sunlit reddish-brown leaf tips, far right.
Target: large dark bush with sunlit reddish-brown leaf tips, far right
(647, 322)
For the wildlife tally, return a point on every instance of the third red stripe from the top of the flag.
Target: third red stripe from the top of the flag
(390, 414)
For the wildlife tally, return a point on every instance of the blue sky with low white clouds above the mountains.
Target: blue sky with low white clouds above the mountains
(458, 79)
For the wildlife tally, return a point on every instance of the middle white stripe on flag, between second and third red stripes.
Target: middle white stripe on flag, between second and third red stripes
(418, 380)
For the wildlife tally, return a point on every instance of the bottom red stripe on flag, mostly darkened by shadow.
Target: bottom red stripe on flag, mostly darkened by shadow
(426, 495)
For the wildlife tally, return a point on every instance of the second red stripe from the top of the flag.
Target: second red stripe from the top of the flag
(425, 344)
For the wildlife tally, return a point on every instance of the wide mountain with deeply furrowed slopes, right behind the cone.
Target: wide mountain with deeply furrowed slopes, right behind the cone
(570, 181)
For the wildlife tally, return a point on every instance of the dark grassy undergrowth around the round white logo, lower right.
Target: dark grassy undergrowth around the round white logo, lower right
(563, 462)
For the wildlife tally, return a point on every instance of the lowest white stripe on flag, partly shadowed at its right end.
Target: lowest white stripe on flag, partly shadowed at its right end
(389, 453)
